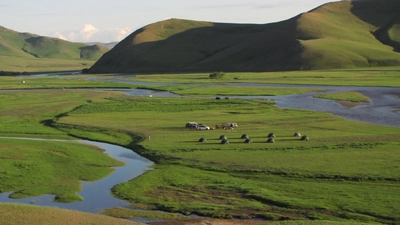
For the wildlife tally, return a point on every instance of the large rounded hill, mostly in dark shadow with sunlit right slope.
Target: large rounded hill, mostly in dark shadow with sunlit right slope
(345, 34)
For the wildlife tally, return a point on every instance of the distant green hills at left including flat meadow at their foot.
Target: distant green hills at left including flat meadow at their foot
(29, 52)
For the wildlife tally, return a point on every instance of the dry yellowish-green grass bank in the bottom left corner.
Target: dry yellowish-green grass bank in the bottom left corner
(13, 214)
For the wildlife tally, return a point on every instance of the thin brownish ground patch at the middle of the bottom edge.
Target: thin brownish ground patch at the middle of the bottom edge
(201, 221)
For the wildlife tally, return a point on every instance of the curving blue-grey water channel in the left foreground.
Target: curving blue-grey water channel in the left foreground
(97, 195)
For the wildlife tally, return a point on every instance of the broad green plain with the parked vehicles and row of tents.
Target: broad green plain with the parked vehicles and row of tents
(348, 171)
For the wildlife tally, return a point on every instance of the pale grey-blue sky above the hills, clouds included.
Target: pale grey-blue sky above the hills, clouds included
(106, 20)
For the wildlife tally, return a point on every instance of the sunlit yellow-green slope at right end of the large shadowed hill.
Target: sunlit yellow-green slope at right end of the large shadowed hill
(337, 35)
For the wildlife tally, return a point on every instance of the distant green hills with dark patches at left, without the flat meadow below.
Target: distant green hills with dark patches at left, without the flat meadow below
(17, 44)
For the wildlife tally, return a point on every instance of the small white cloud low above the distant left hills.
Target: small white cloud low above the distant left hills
(89, 33)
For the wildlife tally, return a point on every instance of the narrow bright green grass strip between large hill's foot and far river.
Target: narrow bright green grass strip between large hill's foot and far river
(386, 76)
